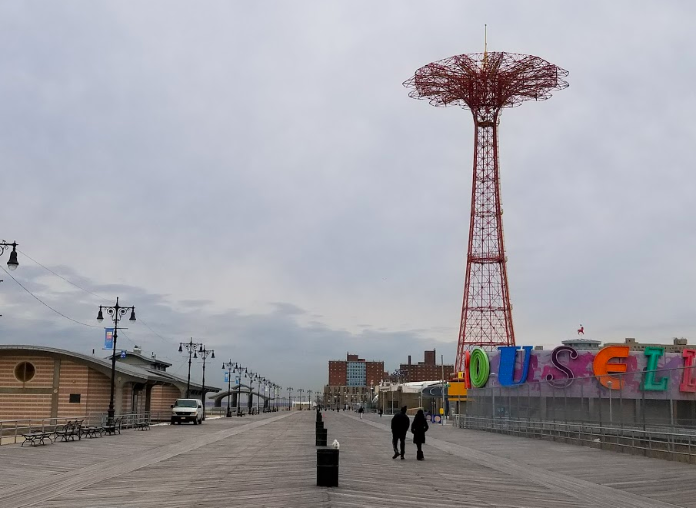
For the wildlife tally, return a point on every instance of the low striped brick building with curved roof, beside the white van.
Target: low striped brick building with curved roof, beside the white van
(43, 382)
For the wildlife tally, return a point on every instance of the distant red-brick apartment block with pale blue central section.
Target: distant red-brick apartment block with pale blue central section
(352, 381)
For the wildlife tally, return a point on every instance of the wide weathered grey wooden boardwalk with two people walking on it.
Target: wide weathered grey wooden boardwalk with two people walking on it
(269, 460)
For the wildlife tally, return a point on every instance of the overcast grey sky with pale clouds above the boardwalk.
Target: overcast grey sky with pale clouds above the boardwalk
(254, 175)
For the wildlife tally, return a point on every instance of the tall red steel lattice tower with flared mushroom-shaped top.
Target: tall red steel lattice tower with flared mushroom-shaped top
(485, 83)
